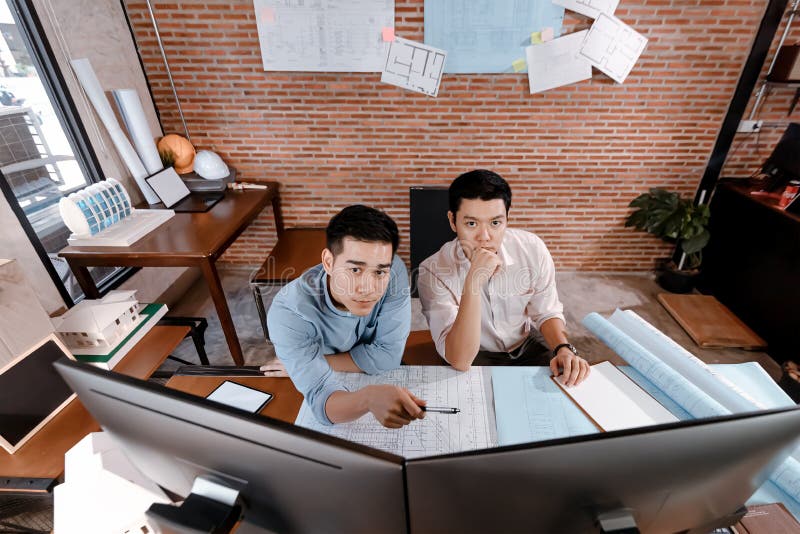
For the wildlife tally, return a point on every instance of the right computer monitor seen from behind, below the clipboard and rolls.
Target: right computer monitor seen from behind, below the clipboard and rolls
(687, 476)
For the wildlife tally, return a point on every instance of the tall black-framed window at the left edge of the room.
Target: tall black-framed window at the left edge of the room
(44, 154)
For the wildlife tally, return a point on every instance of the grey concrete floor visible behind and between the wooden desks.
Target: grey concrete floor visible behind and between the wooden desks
(581, 293)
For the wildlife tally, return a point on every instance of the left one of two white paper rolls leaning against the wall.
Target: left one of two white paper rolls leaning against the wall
(91, 85)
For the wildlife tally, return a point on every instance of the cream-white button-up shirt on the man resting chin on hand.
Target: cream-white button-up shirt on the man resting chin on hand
(521, 295)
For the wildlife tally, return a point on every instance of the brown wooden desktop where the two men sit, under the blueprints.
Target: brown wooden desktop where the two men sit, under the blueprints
(419, 350)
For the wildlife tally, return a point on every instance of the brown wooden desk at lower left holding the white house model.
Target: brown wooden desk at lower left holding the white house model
(43, 455)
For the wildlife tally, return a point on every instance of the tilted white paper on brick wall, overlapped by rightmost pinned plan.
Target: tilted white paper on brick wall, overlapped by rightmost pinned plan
(557, 63)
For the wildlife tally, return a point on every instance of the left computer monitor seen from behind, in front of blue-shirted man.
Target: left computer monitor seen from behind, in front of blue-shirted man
(290, 479)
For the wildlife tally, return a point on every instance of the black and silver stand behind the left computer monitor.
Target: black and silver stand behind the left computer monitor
(212, 506)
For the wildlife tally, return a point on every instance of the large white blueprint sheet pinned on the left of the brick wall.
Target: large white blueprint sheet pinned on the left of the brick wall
(323, 35)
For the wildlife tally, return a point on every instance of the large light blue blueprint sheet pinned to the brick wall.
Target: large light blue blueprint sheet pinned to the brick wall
(483, 36)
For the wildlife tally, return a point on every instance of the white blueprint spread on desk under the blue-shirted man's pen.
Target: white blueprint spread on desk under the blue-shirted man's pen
(472, 428)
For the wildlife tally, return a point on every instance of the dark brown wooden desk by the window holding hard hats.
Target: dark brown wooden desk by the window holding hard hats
(186, 240)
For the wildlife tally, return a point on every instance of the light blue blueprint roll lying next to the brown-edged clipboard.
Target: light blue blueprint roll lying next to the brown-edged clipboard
(682, 391)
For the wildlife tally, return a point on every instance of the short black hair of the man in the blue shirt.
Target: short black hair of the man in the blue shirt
(363, 224)
